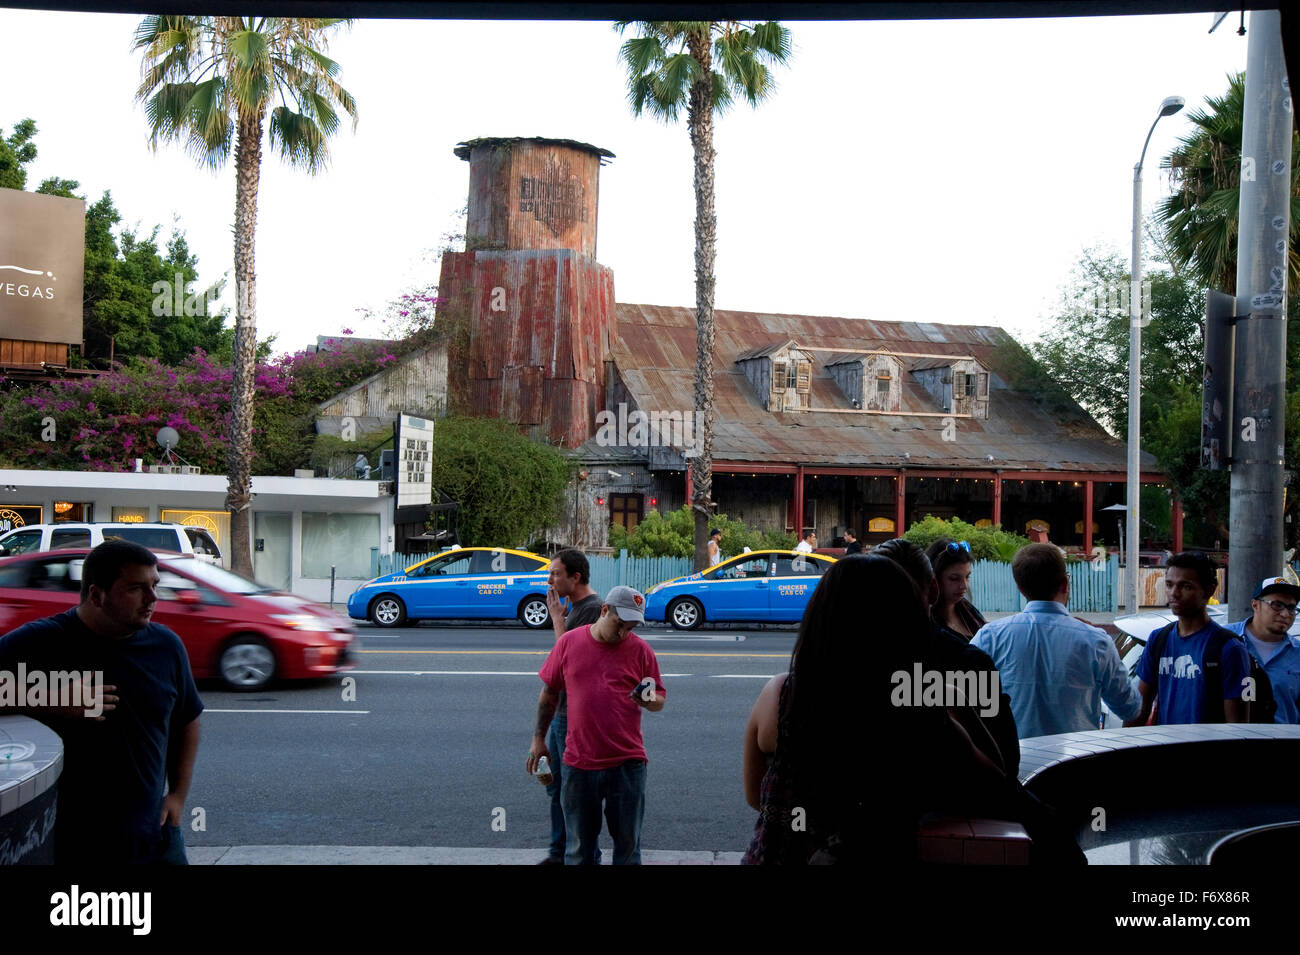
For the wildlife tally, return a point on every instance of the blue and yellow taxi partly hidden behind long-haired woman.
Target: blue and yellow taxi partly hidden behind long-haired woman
(761, 587)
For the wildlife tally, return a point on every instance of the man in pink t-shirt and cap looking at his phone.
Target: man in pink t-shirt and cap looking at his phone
(609, 675)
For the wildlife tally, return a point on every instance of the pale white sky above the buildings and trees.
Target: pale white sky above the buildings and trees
(946, 172)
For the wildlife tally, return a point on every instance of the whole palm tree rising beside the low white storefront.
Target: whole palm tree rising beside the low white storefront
(214, 80)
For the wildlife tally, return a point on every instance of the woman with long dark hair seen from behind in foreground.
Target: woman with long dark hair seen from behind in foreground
(824, 740)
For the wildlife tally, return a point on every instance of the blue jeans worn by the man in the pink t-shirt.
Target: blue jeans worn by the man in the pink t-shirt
(623, 791)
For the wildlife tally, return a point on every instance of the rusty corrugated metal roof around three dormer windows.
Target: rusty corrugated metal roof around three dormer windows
(655, 353)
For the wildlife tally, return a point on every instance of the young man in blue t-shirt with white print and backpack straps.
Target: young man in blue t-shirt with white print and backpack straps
(1178, 680)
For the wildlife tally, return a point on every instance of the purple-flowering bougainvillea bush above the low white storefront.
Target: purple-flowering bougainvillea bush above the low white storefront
(106, 423)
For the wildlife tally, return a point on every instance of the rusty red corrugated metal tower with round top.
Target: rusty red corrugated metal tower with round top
(530, 309)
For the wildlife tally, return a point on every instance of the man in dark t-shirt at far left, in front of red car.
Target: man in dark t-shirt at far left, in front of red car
(128, 762)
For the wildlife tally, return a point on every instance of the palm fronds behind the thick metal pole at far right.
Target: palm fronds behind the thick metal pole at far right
(1201, 218)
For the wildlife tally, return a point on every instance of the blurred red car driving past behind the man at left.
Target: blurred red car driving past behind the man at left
(232, 628)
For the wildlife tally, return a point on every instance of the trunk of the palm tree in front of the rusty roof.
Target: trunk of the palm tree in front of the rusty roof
(700, 123)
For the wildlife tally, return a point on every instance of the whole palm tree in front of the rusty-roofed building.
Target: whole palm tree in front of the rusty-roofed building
(701, 66)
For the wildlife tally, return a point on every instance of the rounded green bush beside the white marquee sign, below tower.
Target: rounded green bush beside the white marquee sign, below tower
(509, 487)
